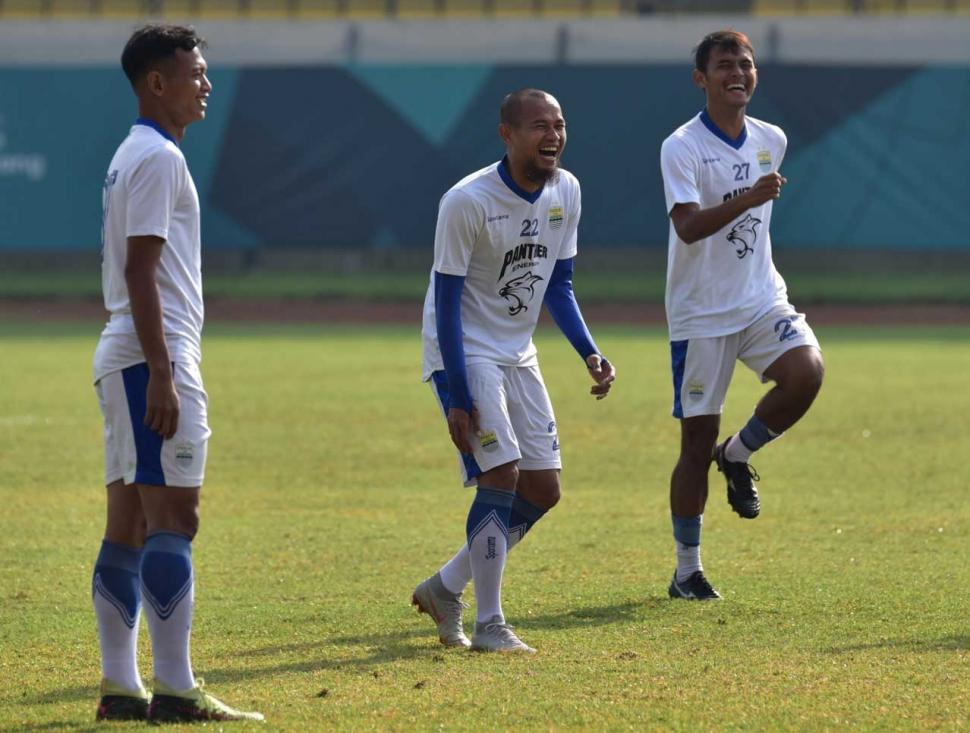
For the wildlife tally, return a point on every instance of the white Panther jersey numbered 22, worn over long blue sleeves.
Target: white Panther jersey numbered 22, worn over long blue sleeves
(505, 243)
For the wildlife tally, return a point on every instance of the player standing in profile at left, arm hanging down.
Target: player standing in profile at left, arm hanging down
(146, 370)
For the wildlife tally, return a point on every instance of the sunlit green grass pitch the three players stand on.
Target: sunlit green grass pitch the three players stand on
(332, 490)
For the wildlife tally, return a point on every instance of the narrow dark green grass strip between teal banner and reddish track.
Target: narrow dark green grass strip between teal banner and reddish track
(630, 286)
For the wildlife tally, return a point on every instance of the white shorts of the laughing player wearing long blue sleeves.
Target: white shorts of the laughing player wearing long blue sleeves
(515, 417)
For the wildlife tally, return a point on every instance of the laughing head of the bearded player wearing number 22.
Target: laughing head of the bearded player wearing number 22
(535, 140)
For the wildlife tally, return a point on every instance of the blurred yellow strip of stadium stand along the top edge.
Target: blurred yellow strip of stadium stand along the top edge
(296, 9)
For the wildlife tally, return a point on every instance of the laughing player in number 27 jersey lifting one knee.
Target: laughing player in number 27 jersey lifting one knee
(725, 301)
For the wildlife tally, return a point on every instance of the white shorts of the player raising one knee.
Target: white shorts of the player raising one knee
(703, 367)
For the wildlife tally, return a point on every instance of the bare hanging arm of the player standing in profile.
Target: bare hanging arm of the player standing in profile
(162, 403)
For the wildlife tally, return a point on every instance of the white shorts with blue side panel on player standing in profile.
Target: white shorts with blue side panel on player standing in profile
(138, 455)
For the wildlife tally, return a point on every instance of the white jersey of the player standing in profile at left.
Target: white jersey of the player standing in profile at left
(149, 191)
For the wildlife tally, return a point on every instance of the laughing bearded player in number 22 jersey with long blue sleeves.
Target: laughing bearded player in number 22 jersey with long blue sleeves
(504, 245)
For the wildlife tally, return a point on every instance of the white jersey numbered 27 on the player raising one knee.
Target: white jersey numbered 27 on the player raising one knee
(724, 283)
